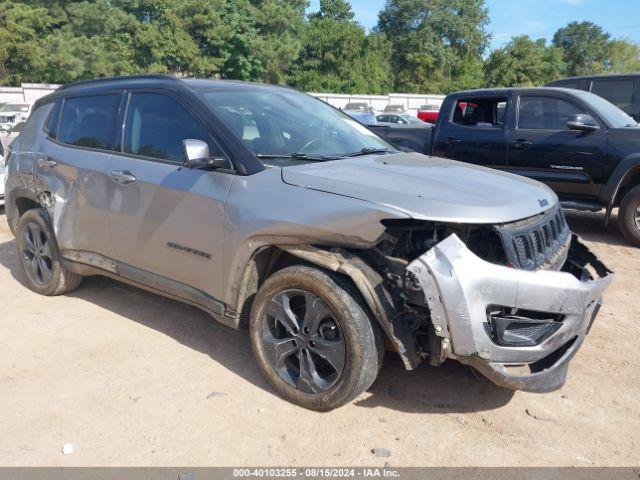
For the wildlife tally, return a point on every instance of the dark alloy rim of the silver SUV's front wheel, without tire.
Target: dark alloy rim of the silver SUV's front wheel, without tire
(303, 341)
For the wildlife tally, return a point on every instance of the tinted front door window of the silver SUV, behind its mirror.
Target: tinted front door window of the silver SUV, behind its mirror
(156, 126)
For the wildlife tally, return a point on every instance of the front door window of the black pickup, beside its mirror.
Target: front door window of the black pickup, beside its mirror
(545, 113)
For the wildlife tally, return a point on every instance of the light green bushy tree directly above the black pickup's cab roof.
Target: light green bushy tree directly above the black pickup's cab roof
(523, 62)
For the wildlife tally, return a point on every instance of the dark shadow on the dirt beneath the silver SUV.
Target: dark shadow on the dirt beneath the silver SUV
(451, 388)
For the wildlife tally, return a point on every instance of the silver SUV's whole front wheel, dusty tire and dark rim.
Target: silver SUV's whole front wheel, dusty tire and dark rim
(335, 316)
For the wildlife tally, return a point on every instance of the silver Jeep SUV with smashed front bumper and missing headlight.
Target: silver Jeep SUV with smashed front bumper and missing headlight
(276, 213)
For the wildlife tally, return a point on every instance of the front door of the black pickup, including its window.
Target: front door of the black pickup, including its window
(542, 147)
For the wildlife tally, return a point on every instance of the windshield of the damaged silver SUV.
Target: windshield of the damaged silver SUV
(283, 122)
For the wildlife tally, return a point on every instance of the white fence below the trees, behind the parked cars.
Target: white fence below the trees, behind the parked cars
(30, 92)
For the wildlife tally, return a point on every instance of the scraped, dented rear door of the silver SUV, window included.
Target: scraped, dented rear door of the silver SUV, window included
(71, 169)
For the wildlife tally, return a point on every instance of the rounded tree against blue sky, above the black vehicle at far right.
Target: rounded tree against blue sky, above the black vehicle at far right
(586, 47)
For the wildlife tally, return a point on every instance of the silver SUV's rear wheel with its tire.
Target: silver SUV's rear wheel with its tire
(39, 256)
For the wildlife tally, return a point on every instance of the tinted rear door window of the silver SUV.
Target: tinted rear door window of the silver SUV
(89, 121)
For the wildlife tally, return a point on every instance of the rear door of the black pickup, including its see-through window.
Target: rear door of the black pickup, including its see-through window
(474, 132)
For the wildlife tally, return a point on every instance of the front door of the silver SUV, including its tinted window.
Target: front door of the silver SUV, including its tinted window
(167, 220)
